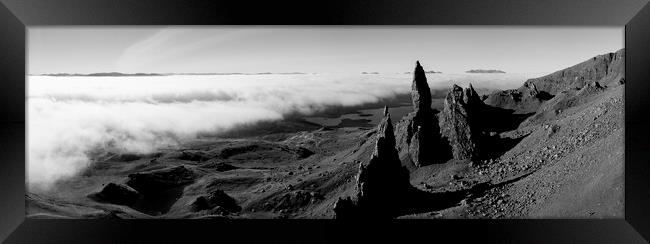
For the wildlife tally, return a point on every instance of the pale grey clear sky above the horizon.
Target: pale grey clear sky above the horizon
(332, 49)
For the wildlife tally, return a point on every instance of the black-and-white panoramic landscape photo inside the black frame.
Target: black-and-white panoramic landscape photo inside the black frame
(433, 122)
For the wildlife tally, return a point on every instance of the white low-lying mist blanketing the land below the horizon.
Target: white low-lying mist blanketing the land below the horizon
(71, 117)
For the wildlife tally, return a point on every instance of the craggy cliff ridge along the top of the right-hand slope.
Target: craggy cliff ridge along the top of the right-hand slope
(608, 70)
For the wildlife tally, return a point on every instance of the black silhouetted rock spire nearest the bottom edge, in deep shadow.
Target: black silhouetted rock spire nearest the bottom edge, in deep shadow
(382, 183)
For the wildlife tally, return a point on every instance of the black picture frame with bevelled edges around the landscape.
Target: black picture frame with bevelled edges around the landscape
(17, 15)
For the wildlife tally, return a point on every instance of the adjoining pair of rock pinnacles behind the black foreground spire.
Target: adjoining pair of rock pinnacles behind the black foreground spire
(424, 138)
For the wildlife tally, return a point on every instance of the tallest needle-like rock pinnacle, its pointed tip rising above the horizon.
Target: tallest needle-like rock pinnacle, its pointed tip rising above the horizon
(418, 135)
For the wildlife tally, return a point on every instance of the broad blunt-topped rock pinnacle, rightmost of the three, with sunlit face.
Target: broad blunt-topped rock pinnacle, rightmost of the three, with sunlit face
(458, 121)
